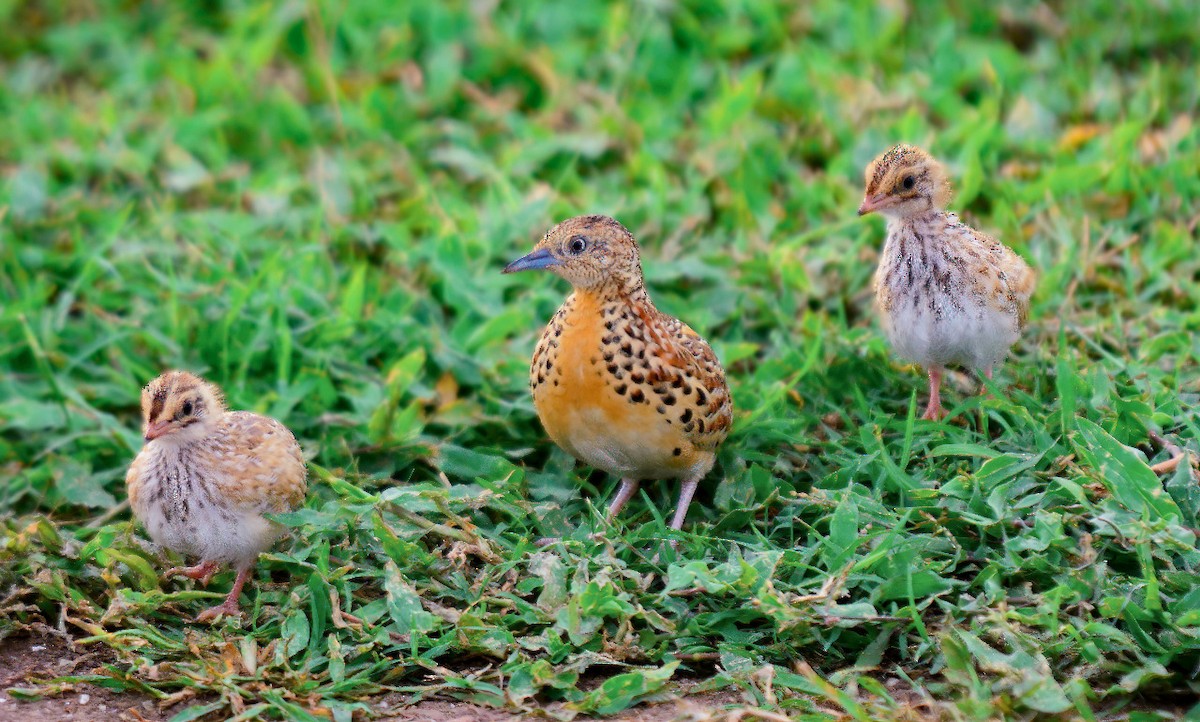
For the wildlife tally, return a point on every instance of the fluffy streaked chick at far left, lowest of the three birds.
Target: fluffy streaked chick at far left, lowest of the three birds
(207, 477)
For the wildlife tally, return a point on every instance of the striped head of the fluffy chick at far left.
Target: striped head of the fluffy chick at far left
(179, 407)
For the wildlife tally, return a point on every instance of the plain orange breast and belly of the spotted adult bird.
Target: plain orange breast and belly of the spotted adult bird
(583, 412)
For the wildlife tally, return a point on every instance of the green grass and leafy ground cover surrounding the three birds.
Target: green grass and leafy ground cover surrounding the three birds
(311, 206)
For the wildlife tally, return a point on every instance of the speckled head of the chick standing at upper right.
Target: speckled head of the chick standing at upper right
(903, 183)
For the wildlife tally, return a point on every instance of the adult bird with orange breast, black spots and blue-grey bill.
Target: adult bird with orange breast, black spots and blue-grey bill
(616, 383)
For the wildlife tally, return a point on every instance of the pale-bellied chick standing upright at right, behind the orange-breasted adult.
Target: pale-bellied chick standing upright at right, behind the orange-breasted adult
(949, 294)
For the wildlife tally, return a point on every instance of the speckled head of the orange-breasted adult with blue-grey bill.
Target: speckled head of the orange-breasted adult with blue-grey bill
(589, 251)
